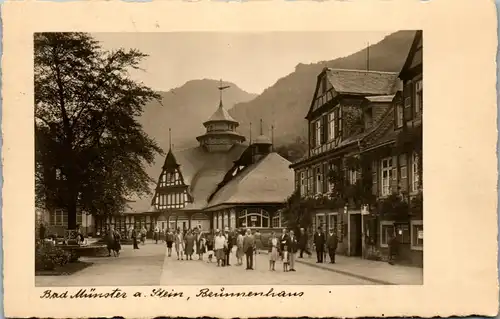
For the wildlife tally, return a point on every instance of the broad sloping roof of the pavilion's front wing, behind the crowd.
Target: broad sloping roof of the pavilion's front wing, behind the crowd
(270, 180)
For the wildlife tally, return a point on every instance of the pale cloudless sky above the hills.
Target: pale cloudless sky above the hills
(253, 61)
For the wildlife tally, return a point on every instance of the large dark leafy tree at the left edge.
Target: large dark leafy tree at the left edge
(90, 150)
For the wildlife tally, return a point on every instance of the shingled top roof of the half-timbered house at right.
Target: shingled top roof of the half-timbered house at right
(364, 82)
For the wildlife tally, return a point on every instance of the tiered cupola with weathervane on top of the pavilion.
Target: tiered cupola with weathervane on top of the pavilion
(221, 127)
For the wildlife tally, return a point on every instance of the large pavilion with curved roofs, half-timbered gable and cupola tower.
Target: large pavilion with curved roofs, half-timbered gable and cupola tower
(222, 182)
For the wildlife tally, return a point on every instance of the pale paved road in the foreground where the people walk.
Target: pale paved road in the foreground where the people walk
(150, 266)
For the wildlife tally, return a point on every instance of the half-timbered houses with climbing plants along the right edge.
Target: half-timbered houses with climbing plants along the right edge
(362, 174)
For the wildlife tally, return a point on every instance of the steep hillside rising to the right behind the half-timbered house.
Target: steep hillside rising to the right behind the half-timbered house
(287, 101)
